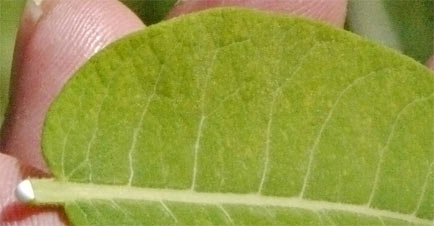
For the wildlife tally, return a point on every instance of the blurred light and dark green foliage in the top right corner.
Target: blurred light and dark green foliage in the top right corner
(406, 25)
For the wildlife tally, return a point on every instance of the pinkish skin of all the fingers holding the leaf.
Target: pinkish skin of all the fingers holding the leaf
(55, 38)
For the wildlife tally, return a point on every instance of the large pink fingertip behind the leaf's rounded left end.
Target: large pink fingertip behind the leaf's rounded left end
(55, 38)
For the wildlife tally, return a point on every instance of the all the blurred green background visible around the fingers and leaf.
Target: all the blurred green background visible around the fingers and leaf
(406, 25)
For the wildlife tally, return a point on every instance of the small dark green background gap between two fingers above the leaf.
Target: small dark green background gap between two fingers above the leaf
(150, 11)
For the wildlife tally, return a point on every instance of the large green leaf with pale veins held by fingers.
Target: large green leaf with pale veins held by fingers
(232, 116)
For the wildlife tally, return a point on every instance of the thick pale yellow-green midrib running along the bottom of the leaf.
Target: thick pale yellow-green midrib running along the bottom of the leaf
(55, 192)
